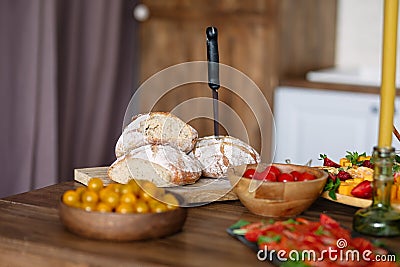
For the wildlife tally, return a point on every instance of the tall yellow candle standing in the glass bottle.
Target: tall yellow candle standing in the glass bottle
(388, 85)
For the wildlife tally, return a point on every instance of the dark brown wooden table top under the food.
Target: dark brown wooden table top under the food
(32, 235)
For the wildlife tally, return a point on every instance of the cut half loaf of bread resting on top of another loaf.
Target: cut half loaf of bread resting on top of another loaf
(160, 128)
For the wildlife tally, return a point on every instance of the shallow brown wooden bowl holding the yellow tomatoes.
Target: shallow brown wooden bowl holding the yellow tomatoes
(121, 227)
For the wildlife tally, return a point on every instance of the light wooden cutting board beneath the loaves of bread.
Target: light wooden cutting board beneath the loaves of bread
(205, 190)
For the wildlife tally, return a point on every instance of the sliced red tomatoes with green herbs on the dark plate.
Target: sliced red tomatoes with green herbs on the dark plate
(303, 235)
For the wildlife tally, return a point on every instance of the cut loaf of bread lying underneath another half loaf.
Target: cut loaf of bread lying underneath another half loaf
(163, 165)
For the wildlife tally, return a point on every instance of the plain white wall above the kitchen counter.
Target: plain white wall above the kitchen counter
(360, 34)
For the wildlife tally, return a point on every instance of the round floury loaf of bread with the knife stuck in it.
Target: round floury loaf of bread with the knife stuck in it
(216, 154)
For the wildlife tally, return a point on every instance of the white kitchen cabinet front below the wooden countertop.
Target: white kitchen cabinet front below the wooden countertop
(311, 122)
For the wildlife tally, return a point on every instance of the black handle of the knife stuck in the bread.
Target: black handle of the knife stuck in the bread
(212, 57)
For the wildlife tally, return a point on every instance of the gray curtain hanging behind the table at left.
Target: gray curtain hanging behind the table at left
(67, 72)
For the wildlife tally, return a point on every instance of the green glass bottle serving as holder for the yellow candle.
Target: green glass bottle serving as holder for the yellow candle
(379, 219)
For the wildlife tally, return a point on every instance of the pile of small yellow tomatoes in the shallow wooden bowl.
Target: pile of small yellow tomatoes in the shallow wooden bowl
(133, 197)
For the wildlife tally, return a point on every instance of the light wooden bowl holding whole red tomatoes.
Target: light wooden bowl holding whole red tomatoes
(277, 199)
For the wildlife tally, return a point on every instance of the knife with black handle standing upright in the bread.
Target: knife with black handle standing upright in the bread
(213, 71)
